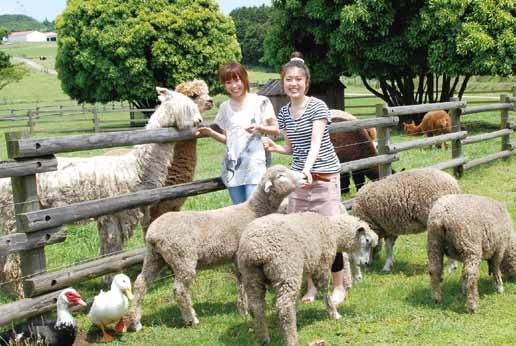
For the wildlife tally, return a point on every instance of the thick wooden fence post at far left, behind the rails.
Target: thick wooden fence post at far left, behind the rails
(25, 198)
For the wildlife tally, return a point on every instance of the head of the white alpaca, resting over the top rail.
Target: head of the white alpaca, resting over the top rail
(176, 110)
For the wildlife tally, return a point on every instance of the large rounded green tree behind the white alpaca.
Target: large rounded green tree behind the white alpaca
(111, 50)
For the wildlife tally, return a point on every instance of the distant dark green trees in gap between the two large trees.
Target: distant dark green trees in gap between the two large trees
(252, 24)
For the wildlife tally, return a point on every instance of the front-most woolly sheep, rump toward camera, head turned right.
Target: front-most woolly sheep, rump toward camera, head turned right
(279, 249)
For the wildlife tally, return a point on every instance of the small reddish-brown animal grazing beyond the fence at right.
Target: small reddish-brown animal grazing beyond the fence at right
(433, 123)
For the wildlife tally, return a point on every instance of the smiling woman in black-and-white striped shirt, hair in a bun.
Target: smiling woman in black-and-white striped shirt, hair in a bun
(304, 123)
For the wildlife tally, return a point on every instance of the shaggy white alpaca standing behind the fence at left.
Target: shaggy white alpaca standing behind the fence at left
(78, 180)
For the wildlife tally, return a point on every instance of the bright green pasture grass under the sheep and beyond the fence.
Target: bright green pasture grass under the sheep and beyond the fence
(387, 309)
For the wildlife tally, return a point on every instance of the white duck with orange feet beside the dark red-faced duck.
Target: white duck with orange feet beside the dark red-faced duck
(111, 306)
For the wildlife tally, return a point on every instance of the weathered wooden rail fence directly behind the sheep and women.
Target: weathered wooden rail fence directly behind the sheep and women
(37, 229)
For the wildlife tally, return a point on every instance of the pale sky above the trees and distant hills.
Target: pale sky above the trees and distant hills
(41, 9)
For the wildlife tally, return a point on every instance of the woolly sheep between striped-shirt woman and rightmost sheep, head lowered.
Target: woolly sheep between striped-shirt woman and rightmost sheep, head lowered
(399, 204)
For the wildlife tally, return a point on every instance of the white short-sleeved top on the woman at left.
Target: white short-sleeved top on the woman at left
(244, 160)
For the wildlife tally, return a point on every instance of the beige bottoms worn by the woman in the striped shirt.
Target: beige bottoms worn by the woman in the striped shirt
(322, 197)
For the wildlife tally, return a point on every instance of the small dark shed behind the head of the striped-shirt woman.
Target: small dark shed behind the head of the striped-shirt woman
(331, 92)
